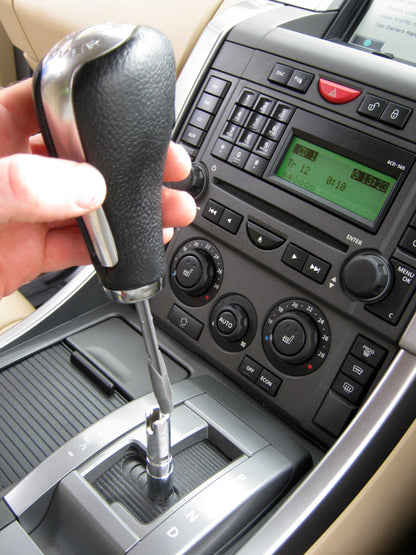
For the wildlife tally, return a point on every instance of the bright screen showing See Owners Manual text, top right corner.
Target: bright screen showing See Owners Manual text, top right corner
(389, 26)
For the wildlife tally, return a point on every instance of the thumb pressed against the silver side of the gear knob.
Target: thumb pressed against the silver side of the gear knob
(41, 189)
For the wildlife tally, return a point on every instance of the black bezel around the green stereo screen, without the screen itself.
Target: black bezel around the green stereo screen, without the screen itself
(349, 143)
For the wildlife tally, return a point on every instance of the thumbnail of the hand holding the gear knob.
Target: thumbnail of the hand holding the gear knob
(91, 187)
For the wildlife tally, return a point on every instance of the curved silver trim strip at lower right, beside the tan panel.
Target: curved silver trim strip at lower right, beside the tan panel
(328, 475)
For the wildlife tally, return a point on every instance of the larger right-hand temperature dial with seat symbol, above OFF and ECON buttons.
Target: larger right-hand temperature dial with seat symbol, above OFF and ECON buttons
(296, 337)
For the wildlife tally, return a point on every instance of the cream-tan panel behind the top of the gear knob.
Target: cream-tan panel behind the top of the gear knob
(42, 23)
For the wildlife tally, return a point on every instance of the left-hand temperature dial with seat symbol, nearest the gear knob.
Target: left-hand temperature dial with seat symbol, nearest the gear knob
(196, 272)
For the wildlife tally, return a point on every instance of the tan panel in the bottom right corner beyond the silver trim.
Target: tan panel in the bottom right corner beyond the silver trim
(388, 500)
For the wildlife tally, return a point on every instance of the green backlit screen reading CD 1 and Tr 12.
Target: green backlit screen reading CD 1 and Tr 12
(335, 178)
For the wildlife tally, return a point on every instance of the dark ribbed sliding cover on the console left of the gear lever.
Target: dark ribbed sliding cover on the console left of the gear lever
(45, 401)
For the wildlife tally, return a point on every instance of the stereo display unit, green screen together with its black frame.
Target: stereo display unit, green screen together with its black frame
(347, 172)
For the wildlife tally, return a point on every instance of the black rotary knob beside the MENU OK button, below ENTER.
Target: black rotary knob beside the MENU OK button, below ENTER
(367, 277)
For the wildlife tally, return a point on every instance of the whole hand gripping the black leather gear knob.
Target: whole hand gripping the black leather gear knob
(40, 197)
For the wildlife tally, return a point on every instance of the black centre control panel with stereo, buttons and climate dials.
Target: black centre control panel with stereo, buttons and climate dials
(298, 276)
